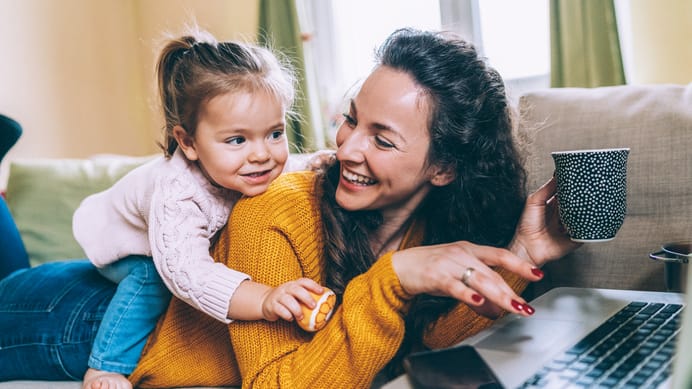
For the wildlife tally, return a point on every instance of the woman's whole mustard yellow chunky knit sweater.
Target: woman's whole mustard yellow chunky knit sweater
(277, 237)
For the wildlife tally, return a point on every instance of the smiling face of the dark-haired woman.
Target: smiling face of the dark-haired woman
(383, 145)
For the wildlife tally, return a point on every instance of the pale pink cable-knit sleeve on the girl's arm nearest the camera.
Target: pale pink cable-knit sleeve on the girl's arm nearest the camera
(183, 219)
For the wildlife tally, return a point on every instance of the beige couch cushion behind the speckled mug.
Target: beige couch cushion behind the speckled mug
(655, 122)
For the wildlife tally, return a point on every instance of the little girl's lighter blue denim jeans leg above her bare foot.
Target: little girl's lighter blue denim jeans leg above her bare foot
(141, 298)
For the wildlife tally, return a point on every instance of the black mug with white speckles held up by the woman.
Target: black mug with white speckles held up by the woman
(592, 192)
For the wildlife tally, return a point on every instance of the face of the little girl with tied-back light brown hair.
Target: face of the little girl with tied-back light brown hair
(240, 142)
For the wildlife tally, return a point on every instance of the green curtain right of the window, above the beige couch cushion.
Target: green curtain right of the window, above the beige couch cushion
(584, 44)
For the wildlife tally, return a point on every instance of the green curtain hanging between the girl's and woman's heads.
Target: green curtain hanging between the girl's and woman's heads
(279, 29)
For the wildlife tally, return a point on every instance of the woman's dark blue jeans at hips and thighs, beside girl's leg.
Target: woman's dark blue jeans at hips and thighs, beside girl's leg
(49, 316)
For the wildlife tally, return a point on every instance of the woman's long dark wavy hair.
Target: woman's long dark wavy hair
(471, 133)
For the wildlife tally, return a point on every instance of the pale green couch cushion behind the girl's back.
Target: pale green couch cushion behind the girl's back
(42, 195)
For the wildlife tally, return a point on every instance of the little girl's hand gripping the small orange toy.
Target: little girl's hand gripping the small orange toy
(283, 301)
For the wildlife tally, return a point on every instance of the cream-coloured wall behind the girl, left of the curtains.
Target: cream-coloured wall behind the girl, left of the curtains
(78, 75)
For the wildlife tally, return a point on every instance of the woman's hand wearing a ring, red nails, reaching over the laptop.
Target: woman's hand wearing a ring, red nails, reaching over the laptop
(462, 270)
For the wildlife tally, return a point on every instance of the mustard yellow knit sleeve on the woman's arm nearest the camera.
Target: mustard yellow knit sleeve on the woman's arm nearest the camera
(277, 237)
